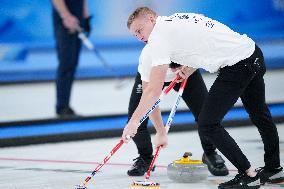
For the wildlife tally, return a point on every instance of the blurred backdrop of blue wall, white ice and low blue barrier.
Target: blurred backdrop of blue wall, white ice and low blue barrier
(28, 65)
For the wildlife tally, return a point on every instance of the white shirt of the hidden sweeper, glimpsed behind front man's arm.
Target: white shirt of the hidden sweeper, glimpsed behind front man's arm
(145, 66)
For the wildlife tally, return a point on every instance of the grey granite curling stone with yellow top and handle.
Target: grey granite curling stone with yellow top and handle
(186, 170)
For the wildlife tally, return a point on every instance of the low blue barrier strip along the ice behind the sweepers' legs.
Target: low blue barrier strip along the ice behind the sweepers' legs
(112, 123)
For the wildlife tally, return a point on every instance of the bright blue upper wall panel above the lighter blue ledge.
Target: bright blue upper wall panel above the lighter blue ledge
(25, 21)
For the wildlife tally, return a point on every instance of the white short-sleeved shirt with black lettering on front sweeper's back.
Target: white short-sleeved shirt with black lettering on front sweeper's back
(197, 41)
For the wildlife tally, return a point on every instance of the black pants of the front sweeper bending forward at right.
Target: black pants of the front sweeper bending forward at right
(245, 80)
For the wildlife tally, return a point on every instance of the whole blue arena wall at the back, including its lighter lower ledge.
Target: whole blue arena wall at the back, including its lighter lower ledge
(27, 44)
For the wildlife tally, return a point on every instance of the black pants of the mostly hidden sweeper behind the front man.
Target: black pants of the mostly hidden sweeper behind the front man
(194, 95)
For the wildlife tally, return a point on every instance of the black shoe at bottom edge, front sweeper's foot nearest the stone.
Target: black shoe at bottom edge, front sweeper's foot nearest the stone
(241, 181)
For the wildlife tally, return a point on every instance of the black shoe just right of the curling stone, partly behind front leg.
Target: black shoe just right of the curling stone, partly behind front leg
(216, 164)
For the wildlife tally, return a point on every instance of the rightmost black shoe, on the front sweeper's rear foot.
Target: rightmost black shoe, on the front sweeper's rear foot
(272, 176)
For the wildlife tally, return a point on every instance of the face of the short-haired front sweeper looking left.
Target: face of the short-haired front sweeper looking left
(142, 27)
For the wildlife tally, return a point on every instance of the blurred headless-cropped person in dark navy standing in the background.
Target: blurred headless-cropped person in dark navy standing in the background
(68, 16)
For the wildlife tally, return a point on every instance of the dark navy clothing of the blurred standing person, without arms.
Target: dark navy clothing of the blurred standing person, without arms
(68, 48)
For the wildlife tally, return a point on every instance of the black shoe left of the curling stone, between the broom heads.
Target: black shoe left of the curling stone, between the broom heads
(140, 166)
